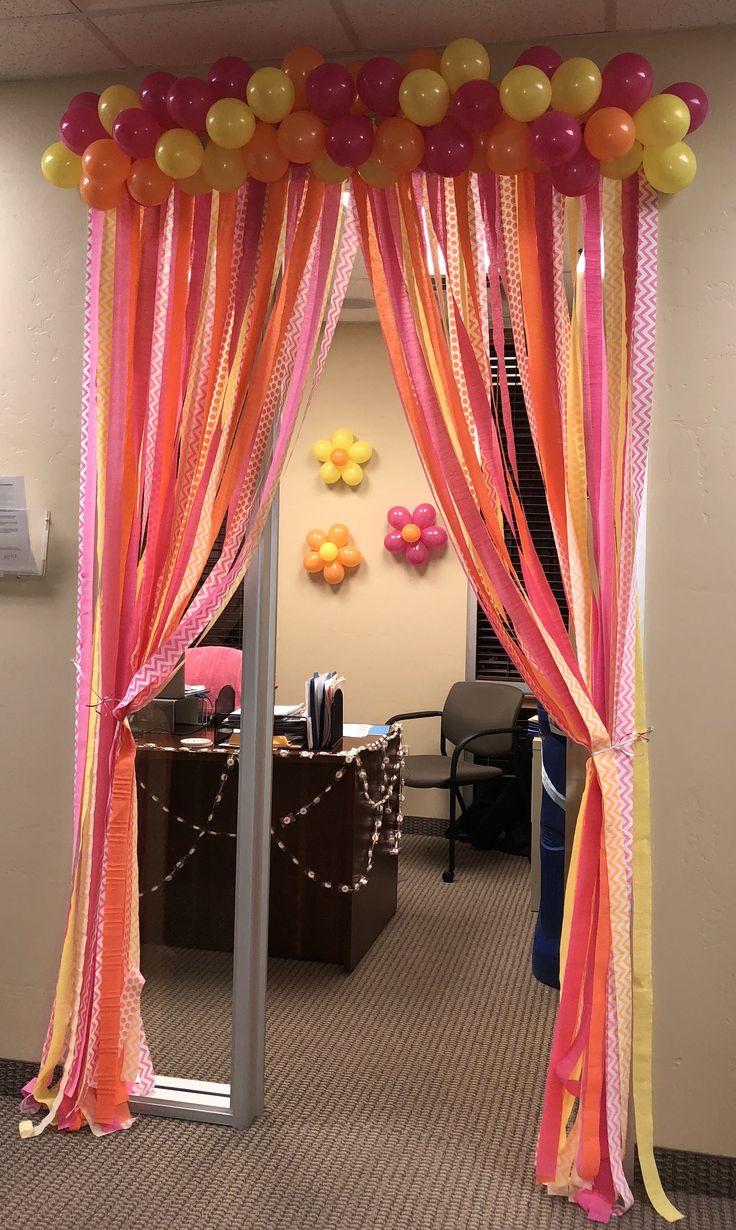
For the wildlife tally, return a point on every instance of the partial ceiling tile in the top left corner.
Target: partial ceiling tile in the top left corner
(52, 47)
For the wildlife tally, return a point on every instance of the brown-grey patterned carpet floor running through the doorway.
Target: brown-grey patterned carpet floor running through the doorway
(401, 1098)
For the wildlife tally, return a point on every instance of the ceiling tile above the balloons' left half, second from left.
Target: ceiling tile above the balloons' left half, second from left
(257, 30)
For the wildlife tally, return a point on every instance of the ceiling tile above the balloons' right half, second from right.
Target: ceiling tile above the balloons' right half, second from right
(435, 23)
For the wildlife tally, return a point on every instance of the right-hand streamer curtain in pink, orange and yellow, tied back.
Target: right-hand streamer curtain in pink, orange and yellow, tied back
(585, 354)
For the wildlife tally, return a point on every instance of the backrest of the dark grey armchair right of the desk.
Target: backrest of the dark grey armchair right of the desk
(478, 705)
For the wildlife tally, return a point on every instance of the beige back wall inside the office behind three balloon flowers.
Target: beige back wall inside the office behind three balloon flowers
(398, 637)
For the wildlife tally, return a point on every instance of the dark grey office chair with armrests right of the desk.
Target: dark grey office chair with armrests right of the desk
(478, 718)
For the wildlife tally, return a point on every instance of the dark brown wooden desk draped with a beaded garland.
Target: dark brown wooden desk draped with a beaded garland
(307, 922)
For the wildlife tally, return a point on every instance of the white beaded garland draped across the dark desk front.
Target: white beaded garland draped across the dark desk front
(392, 784)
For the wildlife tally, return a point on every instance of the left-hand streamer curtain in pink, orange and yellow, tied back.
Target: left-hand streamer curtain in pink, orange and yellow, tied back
(202, 320)
